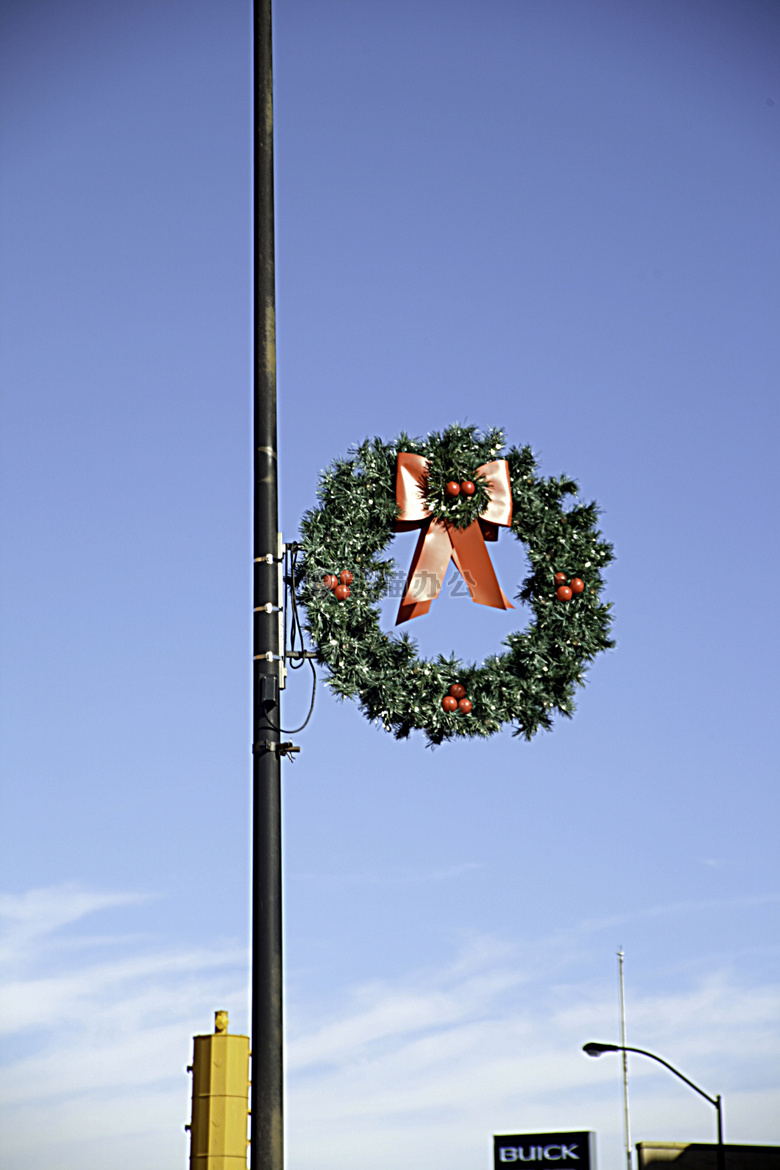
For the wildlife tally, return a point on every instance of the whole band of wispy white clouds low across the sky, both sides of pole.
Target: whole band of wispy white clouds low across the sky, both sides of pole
(420, 1070)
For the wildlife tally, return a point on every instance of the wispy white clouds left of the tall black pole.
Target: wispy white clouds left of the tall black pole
(98, 1045)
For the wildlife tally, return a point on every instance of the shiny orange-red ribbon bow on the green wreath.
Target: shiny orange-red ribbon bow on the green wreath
(441, 542)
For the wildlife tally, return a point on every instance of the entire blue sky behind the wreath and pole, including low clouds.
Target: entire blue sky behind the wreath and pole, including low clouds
(555, 217)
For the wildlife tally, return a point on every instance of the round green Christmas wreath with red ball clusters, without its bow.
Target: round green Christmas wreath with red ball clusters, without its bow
(344, 575)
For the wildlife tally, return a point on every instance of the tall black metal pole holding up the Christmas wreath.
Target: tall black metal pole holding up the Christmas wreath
(267, 1152)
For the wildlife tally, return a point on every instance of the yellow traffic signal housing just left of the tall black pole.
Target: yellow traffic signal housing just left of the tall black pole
(220, 1100)
